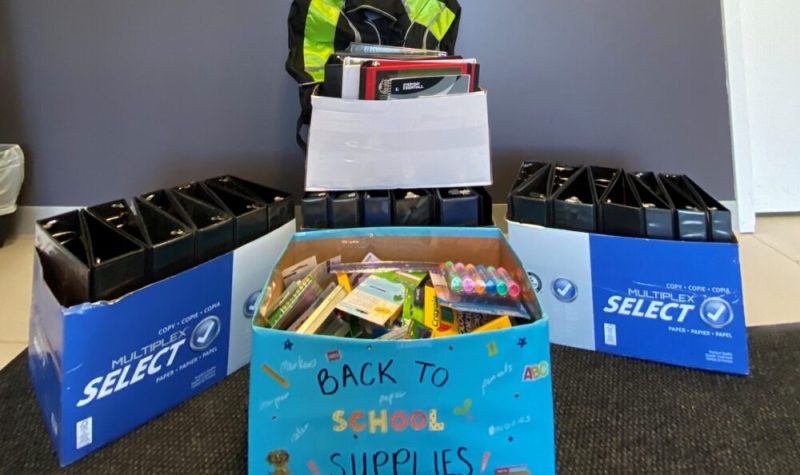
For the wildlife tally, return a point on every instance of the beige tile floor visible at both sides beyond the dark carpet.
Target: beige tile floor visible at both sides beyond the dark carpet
(770, 270)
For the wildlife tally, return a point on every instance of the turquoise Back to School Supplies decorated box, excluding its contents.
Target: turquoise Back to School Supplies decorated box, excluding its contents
(469, 404)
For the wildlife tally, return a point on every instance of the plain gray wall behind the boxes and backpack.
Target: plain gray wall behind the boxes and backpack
(112, 99)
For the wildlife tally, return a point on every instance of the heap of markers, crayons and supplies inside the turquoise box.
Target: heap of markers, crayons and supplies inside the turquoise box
(389, 301)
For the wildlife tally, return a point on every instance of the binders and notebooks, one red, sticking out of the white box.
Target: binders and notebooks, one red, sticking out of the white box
(374, 72)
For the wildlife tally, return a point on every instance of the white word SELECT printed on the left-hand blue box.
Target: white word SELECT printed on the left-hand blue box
(118, 379)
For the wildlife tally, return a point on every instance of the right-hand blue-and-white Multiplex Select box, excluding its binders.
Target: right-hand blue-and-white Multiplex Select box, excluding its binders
(674, 302)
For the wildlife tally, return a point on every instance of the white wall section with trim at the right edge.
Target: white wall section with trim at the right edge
(769, 92)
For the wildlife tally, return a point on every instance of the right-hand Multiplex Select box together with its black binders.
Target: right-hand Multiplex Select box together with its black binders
(634, 264)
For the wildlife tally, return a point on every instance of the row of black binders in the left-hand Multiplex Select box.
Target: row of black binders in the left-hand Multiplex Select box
(105, 251)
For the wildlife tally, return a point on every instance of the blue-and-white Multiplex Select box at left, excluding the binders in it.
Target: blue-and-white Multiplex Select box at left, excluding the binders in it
(102, 369)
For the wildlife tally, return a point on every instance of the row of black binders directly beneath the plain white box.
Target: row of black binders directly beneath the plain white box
(378, 208)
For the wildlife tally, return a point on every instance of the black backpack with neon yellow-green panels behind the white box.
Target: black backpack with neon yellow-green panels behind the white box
(319, 28)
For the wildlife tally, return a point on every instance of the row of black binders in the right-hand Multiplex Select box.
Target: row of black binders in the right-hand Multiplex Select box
(612, 201)
